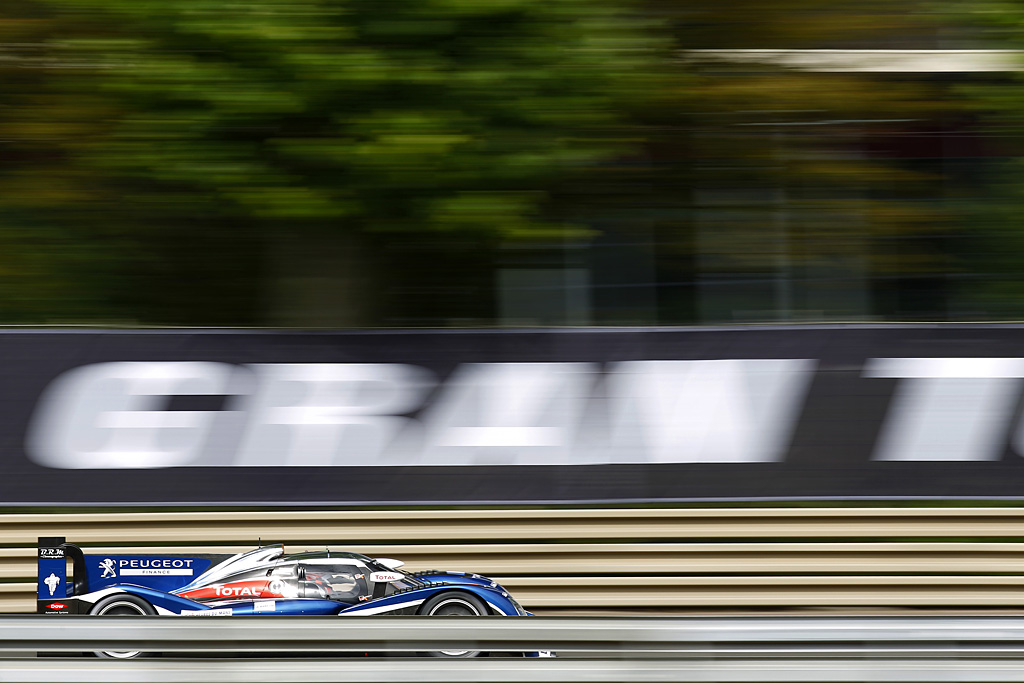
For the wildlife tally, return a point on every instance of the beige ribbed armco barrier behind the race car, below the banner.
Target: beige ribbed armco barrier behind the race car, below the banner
(609, 562)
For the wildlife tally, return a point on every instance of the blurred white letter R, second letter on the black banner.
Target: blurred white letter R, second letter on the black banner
(329, 414)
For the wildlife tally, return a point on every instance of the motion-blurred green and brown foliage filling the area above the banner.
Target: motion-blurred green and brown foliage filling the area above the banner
(358, 162)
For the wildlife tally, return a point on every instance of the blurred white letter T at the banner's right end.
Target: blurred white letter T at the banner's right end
(948, 409)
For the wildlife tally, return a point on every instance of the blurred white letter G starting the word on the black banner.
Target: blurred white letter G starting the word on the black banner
(109, 416)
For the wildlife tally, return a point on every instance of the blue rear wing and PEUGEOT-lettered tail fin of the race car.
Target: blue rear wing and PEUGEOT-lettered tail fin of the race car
(57, 592)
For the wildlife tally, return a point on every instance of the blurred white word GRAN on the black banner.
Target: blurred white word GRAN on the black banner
(106, 416)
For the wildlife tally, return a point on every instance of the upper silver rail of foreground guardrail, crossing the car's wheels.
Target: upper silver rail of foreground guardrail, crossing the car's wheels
(681, 636)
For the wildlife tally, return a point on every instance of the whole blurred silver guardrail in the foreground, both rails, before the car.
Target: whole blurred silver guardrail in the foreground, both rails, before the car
(628, 651)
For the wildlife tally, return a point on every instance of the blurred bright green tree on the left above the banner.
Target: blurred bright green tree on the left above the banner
(249, 163)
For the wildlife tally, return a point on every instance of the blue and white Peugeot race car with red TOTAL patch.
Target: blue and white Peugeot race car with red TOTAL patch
(260, 582)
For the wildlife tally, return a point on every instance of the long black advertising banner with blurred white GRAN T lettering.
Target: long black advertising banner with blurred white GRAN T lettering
(553, 416)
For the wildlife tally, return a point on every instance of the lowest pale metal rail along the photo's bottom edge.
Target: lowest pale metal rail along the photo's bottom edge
(856, 670)
